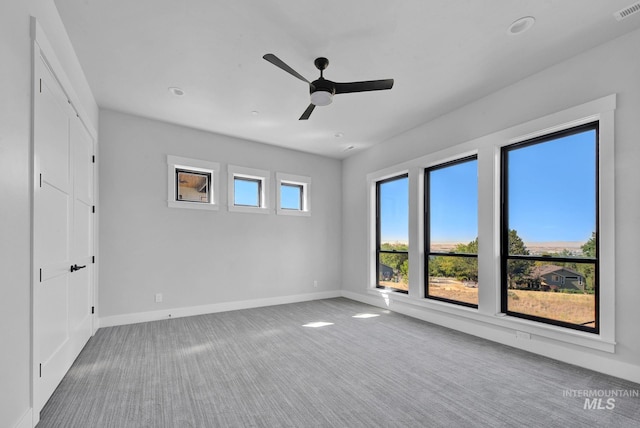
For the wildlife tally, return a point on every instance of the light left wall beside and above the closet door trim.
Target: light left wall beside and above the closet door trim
(15, 208)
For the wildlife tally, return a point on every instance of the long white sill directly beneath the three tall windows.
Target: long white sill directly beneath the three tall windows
(560, 334)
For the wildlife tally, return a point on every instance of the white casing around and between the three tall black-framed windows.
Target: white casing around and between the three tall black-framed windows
(488, 149)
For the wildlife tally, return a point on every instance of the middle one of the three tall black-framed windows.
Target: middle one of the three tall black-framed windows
(451, 232)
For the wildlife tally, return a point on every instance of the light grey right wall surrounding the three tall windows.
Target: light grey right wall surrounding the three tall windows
(610, 68)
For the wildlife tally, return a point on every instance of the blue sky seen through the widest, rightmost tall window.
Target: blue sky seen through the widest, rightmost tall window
(552, 189)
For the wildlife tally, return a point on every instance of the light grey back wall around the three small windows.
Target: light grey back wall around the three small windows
(200, 257)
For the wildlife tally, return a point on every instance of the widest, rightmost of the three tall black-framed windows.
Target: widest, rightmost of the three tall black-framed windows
(549, 242)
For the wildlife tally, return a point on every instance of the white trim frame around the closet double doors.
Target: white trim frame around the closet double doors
(42, 51)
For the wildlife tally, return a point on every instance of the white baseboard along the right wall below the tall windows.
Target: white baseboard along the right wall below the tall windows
(590, 359)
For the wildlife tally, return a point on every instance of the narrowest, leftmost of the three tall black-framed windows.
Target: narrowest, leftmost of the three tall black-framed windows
(392, 233)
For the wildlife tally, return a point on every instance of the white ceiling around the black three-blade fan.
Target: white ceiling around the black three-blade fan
(442, 54)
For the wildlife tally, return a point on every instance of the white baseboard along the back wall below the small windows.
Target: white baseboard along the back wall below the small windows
(164, 314)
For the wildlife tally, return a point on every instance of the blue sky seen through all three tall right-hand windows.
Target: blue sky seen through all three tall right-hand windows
(551, 195)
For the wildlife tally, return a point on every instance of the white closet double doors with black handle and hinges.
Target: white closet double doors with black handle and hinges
(62, 235)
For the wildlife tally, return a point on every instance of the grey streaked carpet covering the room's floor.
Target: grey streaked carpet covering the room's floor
(262, 368)
